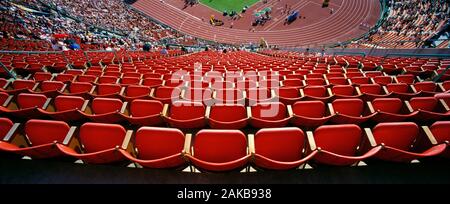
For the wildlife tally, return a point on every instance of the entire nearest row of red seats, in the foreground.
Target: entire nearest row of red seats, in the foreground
(226, 150)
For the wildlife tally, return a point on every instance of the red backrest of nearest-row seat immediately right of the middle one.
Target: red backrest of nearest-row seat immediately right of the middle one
(280, 144)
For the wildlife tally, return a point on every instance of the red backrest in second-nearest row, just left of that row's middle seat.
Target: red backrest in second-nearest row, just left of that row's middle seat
(185, 110)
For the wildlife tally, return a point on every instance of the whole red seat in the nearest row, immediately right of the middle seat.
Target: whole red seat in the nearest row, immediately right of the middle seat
(280, 148)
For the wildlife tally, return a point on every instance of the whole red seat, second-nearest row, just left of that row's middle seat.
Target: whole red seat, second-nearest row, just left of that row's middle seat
(186, 114)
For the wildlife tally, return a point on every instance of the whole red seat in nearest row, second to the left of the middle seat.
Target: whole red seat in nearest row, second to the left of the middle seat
(101, 143)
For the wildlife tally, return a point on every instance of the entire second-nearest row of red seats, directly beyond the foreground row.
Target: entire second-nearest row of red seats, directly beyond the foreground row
(187, 114)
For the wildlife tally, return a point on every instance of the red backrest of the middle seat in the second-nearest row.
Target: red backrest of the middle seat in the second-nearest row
(228, 113)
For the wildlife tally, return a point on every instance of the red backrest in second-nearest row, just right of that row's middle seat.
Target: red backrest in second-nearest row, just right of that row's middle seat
(269, 111)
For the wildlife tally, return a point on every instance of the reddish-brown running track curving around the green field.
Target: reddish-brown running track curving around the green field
(341, 26)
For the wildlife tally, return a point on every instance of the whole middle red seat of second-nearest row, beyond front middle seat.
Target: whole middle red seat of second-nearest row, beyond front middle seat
(227, 116)
